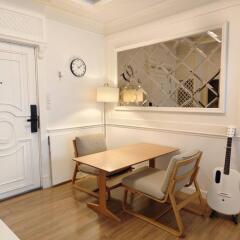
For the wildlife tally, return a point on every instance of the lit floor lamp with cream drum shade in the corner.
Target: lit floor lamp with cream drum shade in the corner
(107, 94)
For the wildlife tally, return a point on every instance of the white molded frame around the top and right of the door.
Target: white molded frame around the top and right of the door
(39, 43)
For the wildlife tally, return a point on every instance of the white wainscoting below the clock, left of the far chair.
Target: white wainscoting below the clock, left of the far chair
(61, 150)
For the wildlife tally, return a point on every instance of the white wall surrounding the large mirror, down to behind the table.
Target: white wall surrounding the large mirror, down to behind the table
(203, 131)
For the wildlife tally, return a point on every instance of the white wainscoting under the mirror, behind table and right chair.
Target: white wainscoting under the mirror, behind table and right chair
(213, 147)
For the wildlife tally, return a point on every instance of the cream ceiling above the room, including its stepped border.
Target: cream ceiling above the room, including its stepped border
(117, 15)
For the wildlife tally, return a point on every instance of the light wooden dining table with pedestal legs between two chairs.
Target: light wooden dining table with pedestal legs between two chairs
(113, 160)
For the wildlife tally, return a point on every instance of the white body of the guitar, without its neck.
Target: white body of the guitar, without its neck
(224, 193)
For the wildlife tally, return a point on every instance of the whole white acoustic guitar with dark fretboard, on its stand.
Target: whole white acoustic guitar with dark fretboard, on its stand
(224, 193)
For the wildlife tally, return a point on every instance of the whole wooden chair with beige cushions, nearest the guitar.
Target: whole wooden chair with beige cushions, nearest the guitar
(161, 186)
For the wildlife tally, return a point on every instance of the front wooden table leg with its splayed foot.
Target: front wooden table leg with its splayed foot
(101, 207)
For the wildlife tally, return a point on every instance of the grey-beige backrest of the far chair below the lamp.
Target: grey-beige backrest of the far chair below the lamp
(89, 144)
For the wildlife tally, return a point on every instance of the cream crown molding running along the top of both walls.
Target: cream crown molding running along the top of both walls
(160, 12)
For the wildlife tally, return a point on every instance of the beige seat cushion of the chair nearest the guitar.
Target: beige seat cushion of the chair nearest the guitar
(147, 180)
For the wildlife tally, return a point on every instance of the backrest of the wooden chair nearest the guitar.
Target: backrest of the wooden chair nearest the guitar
(181, 169)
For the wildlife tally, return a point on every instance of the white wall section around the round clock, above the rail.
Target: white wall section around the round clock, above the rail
(71, 101)
